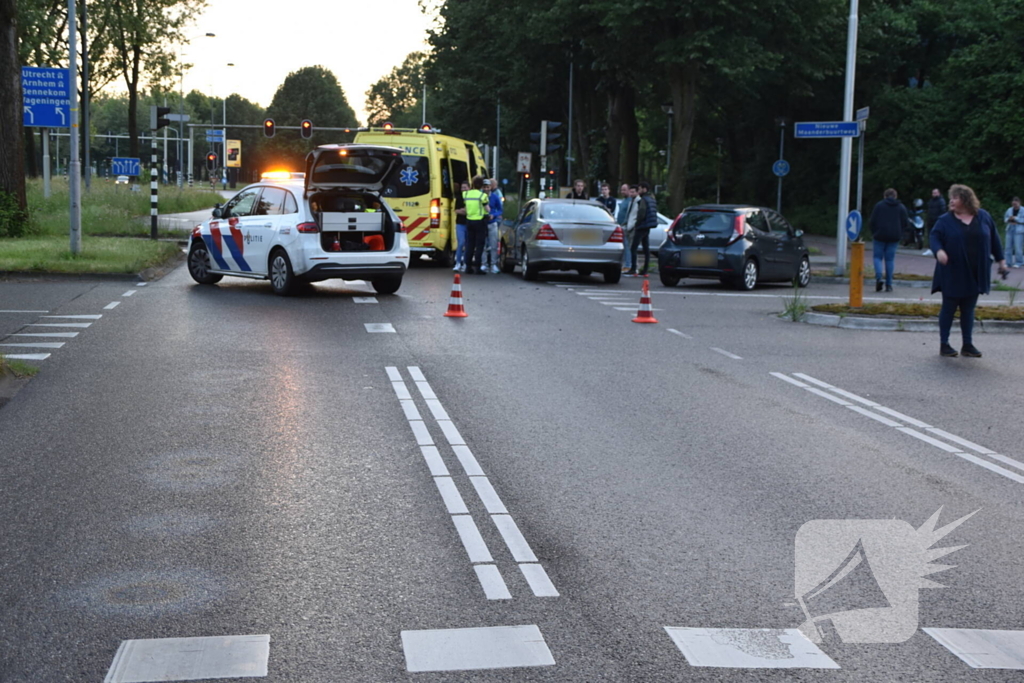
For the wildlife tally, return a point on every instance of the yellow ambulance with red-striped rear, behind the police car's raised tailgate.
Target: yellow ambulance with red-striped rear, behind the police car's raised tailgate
(423, 192)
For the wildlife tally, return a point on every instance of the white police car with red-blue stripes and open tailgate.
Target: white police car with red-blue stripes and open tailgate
(332, 224)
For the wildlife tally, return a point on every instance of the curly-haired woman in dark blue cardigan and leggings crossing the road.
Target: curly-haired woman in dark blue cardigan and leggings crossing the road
(965, 241)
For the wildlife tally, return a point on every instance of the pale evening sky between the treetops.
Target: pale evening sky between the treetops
(267, 40)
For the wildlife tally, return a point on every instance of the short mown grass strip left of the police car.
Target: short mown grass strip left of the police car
(100, 255)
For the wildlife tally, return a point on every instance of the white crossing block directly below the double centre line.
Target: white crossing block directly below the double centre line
(472, 650)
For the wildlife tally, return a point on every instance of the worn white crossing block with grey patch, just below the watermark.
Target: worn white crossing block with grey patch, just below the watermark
(749, 649)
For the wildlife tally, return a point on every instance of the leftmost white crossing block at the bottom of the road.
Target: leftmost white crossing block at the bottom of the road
(190, 659)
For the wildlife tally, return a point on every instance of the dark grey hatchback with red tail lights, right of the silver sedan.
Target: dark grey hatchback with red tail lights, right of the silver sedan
(740, 245)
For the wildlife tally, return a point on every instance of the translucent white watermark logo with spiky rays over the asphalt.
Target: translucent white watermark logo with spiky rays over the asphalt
(860, 578)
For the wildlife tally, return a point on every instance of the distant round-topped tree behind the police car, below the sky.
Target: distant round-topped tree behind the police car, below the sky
(312, 93)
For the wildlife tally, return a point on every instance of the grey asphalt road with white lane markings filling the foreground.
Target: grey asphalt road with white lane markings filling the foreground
(217, 461)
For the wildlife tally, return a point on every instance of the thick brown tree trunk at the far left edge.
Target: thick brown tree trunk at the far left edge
(13, 204)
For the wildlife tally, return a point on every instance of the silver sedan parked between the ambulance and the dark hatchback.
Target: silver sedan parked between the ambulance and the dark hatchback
(564, 235)
